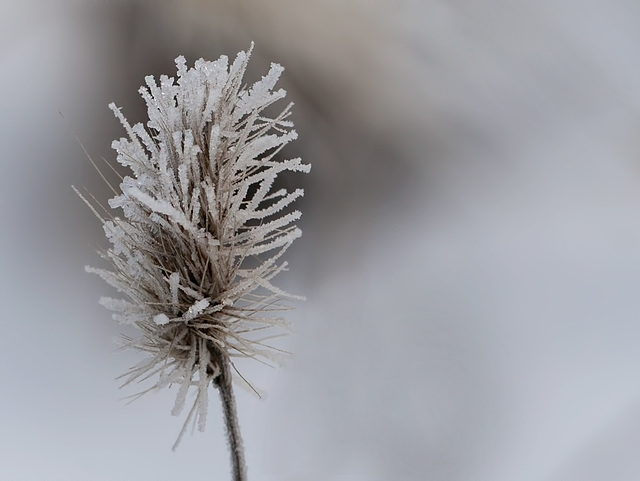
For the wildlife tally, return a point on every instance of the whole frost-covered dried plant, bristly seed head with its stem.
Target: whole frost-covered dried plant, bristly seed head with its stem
(203, 232)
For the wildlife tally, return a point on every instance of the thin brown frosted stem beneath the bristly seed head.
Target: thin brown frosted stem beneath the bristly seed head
(224, 383)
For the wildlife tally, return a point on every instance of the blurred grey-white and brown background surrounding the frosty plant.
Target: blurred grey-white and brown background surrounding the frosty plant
(471, 251)
